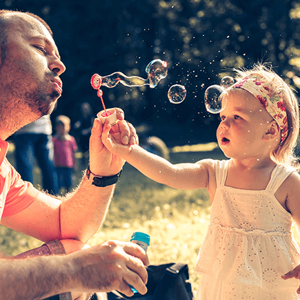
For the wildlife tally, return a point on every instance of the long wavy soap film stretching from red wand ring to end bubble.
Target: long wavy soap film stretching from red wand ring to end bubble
(157, 70)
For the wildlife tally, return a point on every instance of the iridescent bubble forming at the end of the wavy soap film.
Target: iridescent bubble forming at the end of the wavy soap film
(157, 69)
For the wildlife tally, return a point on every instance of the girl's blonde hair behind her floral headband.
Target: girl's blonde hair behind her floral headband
(284, 153)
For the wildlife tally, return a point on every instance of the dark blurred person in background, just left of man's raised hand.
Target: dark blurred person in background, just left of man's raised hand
(83, 127)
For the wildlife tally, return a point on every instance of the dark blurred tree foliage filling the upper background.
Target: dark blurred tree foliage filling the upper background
(202, 40)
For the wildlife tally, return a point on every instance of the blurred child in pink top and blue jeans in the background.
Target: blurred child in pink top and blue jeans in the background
(65, 148)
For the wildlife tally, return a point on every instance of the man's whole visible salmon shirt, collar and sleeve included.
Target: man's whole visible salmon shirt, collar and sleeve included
(15, 194)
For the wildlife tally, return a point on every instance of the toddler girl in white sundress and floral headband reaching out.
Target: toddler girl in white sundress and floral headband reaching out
(254, 195)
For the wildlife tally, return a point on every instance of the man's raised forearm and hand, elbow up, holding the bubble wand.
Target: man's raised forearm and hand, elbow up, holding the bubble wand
(82, 214)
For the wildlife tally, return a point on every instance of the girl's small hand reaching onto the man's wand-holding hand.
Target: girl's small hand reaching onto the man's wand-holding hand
(114, 142)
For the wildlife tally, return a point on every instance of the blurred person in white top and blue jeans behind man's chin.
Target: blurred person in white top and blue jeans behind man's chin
(34, 141)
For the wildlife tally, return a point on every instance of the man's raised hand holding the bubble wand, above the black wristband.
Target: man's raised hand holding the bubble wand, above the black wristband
(102, 161)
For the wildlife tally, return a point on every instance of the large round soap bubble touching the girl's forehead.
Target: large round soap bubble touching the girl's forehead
(213, 99)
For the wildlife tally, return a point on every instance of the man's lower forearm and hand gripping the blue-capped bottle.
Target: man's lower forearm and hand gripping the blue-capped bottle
(101, 268)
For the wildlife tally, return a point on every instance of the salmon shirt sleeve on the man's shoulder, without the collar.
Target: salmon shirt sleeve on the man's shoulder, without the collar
(20, 194)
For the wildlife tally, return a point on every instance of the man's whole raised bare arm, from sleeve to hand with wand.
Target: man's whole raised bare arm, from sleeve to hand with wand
(79, 215)
